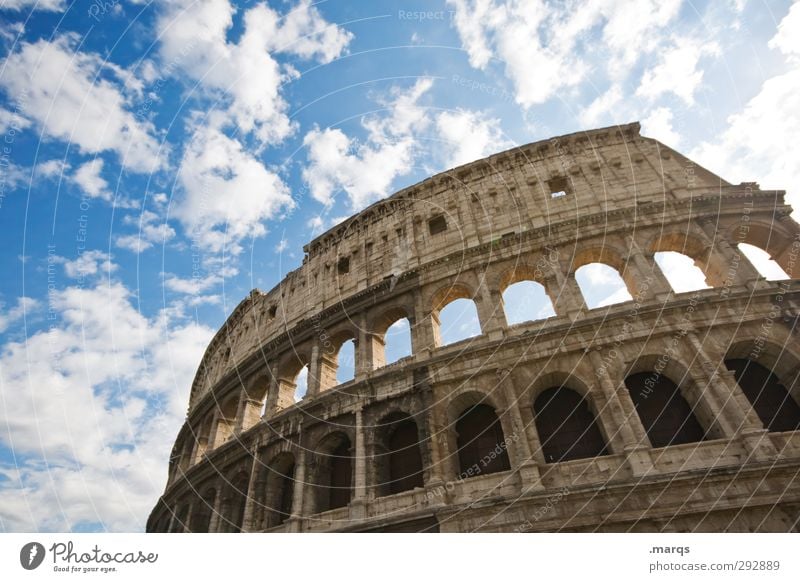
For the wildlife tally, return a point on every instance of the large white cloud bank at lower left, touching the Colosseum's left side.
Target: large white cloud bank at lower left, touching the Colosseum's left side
(127, 378)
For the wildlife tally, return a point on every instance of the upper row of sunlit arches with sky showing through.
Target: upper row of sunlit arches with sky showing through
(354, 348)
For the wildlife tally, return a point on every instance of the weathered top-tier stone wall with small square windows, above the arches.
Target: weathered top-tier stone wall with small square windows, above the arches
(510, 192)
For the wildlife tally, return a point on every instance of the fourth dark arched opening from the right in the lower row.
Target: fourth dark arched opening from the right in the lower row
(480, 442)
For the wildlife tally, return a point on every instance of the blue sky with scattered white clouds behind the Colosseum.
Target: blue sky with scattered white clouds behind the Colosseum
(161, 159)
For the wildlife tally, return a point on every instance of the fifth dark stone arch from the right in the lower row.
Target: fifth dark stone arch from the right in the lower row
(397, 455)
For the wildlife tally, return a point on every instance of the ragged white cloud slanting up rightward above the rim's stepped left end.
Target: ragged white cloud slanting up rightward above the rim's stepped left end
(365, 170)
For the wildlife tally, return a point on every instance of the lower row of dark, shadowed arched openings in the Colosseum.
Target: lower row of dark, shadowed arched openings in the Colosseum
(567, 426)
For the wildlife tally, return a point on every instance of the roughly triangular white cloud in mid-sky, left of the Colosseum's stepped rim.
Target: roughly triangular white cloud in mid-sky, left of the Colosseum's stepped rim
(226, 193)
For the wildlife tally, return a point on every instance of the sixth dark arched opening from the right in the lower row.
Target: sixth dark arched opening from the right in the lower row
(335, 476)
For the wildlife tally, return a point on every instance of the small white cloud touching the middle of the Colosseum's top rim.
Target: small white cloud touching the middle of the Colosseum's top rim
(469, 135)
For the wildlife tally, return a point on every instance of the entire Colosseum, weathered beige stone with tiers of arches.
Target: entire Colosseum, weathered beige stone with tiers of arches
(665, 412)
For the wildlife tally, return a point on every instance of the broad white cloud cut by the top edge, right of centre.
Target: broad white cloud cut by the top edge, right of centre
(539, 43)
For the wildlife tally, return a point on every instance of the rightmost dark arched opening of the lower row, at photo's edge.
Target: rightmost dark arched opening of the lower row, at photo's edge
(774, 405)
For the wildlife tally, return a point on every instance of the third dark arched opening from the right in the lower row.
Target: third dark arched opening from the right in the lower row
(566, 426)
